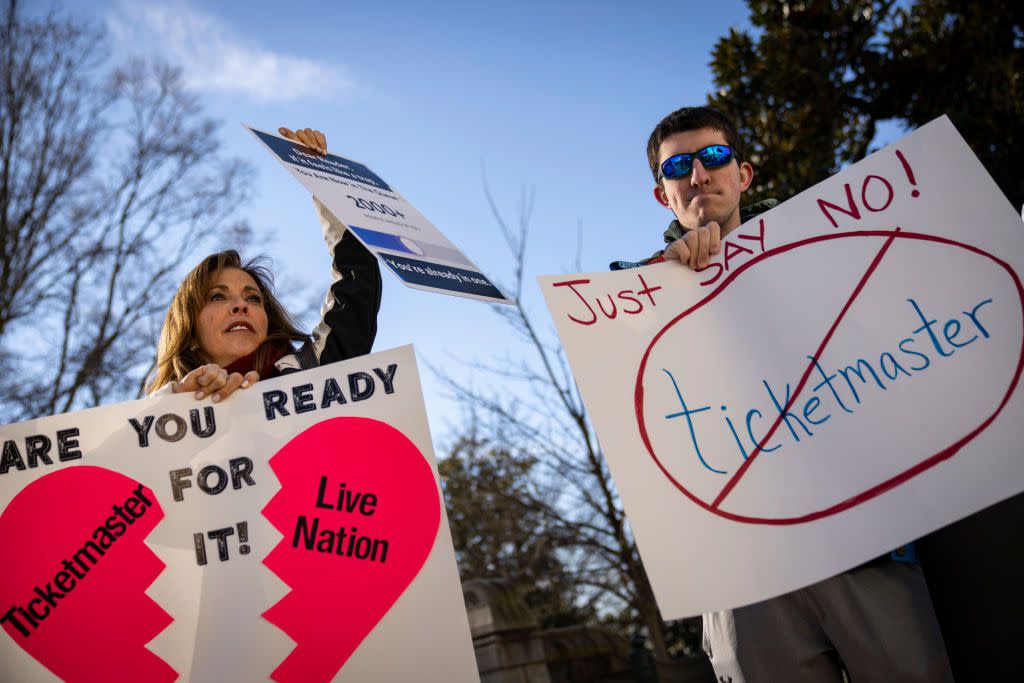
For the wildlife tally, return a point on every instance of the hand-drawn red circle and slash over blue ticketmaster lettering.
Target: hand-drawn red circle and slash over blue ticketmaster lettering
(885, 239)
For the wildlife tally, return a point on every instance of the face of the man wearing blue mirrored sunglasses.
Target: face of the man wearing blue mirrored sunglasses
(707, 194)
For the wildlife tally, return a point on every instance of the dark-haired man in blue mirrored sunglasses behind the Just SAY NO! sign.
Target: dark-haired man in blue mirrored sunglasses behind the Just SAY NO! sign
(876, 621)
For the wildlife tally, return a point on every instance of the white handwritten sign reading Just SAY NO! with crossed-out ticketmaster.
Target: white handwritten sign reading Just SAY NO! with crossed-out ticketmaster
(843, 379)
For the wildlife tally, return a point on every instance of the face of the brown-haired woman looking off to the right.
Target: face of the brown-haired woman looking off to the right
(233, 323)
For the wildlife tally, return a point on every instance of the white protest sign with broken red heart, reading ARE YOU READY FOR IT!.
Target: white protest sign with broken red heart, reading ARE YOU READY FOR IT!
(295, 533)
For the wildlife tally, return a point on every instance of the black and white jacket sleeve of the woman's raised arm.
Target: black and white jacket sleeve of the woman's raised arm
(349, 319)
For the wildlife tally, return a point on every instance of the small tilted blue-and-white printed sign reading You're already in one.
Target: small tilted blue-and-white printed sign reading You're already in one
(390, 227)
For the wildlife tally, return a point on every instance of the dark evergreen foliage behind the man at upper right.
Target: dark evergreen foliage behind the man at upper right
(810, 83)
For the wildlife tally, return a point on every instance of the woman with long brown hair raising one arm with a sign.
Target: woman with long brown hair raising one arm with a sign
(226, 330)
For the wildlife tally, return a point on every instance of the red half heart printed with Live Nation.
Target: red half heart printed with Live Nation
(360, 511)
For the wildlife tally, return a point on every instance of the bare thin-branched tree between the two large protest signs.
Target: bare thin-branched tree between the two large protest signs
(539, 411)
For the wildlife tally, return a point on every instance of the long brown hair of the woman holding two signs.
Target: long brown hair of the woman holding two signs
(178, 354)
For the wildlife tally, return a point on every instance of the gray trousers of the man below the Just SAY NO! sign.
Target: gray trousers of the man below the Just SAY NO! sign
(876, 620)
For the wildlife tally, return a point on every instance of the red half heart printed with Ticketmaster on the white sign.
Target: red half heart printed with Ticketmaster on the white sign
(74, 574)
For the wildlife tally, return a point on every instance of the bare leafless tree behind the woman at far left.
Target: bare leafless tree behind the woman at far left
(109, 184)
